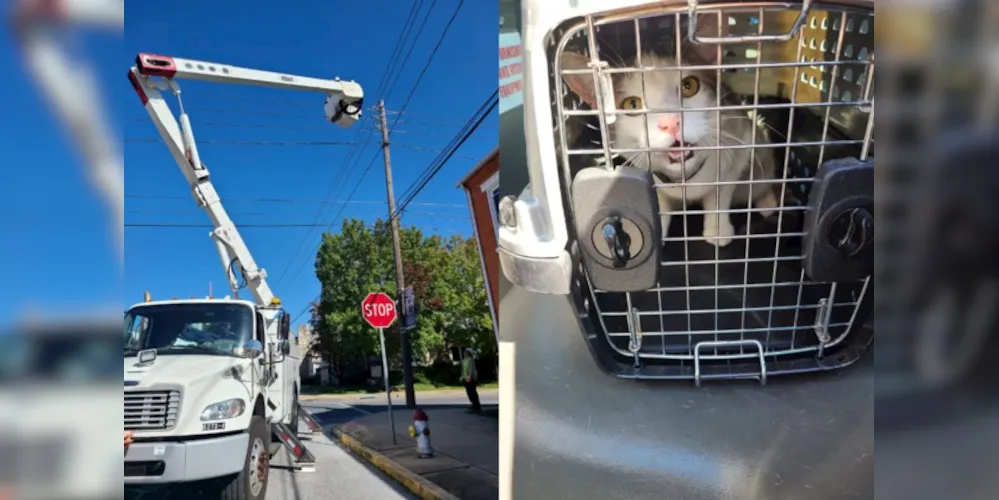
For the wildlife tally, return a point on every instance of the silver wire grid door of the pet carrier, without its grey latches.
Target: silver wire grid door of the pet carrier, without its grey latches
(811, 99)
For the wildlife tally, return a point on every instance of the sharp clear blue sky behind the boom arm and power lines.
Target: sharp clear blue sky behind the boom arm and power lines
(352, 40)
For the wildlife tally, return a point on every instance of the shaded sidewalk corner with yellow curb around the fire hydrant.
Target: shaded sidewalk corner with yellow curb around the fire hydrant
(467, 451)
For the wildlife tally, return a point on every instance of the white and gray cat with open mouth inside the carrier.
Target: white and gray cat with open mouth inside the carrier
(663, 90)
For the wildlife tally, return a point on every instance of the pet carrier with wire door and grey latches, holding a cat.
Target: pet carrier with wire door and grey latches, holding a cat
(706, 198)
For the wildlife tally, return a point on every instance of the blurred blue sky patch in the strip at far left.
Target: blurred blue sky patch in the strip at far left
(58, 250)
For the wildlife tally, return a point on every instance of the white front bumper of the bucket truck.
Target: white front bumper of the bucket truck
(169, 462)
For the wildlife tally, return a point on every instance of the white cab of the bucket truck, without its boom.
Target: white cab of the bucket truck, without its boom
(198, 376)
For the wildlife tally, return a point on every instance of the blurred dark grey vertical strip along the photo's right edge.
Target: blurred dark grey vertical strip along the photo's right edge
(936, 432)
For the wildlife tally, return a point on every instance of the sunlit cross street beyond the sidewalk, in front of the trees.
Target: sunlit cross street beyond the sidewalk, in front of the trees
(330, 411)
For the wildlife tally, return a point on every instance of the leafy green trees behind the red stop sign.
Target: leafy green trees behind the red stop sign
(446, 278)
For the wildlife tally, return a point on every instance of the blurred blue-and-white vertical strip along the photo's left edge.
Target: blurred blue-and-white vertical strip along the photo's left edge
(61, 247)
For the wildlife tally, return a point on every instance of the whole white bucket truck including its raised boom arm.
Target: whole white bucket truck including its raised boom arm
(208, 382)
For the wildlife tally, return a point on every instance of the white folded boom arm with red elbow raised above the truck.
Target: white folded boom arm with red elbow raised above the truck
(153, 74)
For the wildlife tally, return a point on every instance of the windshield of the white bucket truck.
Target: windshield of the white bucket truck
(212, 329)
